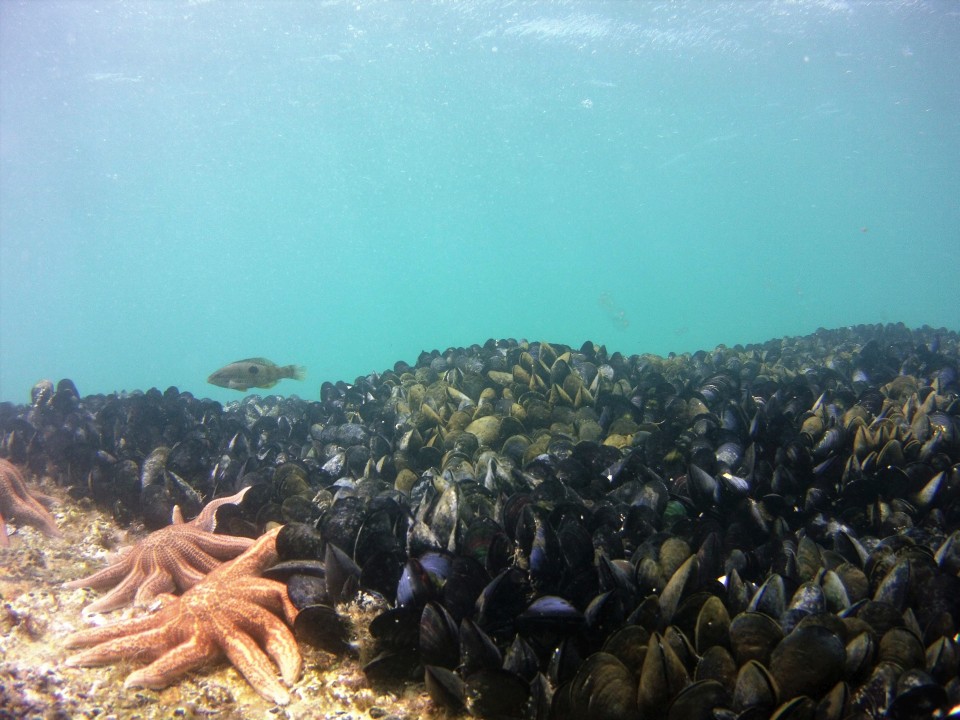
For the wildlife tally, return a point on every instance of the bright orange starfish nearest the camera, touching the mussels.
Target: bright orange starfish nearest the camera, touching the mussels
(231, 612)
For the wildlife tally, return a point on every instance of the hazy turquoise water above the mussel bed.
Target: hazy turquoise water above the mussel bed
(341, 185)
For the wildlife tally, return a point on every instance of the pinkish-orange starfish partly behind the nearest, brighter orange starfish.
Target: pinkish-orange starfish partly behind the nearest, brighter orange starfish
(173, 558)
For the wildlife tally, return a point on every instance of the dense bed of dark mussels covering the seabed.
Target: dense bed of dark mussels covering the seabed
(770, 531)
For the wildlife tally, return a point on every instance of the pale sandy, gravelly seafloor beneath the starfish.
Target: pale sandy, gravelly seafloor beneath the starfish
(37, 613)
